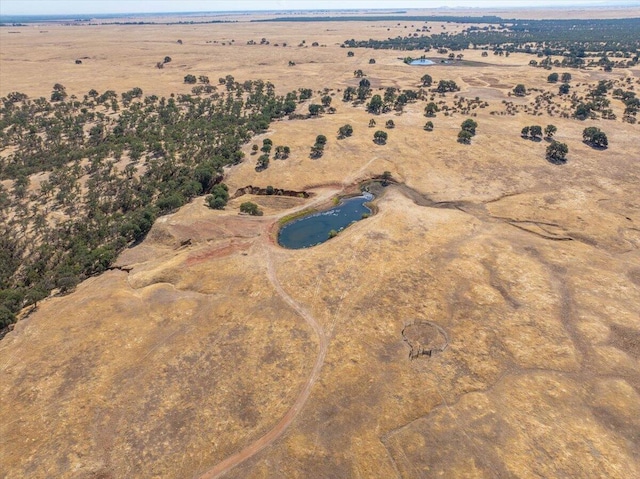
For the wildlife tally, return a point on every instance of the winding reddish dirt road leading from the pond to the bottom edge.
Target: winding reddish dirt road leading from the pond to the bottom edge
(225, 466)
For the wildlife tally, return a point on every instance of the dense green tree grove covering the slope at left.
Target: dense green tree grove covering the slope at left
(89, 176)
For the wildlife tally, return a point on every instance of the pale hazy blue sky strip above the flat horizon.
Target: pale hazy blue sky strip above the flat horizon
(47, 7)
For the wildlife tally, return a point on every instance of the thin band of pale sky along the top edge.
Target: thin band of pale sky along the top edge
(65, 8)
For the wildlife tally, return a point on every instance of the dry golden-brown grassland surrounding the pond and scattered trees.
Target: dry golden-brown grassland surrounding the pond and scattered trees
(192, 352)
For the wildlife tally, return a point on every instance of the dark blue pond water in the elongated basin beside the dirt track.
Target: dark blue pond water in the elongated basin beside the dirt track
(314, 229)
